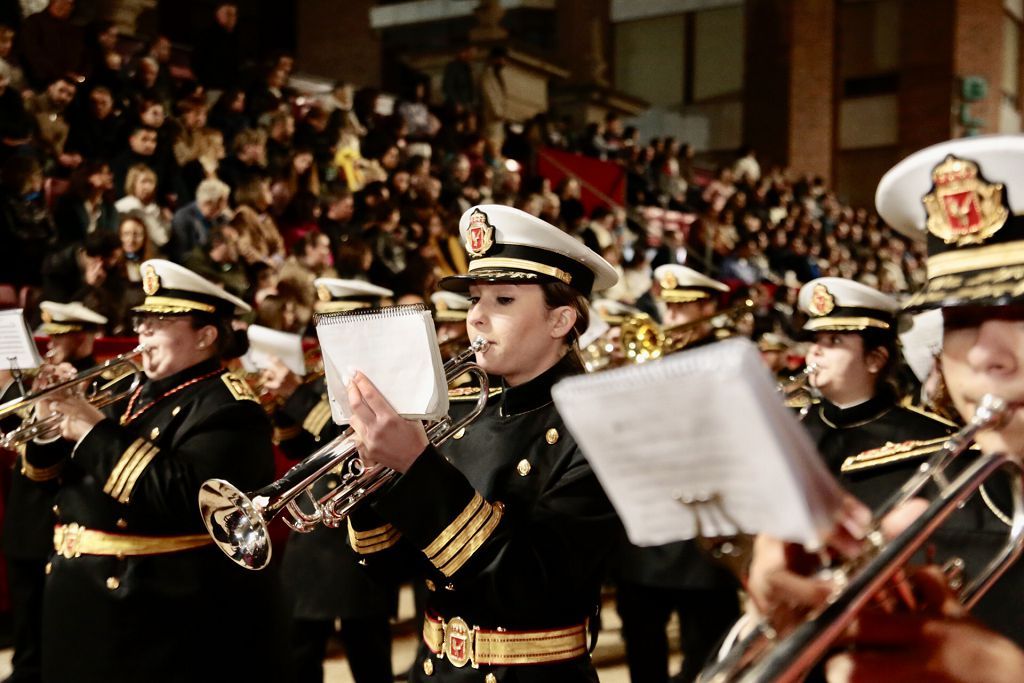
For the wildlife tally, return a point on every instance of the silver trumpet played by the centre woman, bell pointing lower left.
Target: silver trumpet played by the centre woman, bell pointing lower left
(238, 523)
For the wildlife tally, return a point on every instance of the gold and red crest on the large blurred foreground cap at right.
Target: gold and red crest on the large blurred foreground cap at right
(962, 207)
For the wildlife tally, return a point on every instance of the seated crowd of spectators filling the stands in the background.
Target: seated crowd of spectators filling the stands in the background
(114, 152)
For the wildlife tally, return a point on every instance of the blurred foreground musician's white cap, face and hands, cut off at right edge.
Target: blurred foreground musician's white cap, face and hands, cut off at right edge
(975, 241)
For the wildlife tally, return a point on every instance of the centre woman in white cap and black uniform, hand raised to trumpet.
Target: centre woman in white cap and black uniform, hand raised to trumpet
(507, 522)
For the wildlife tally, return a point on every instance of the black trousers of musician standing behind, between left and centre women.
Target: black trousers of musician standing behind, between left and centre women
(368, 649)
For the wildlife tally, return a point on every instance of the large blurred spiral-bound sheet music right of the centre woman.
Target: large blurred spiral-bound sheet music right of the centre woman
(701, 444)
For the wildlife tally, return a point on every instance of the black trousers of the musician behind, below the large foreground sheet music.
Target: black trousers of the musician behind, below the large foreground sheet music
(705, 617)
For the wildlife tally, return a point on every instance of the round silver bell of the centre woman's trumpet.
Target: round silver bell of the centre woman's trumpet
(236, 524)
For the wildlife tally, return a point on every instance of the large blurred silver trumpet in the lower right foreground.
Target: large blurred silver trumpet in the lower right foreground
(765, 655)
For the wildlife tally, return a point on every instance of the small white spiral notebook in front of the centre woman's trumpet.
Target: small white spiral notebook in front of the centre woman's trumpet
(397, 349)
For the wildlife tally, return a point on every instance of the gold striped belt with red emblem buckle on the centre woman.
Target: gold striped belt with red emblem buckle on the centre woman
(504, 649)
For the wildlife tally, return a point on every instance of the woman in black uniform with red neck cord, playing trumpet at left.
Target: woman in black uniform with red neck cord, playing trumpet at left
(136, 590)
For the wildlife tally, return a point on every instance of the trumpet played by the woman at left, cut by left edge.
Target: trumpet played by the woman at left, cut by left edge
(86, 383)
